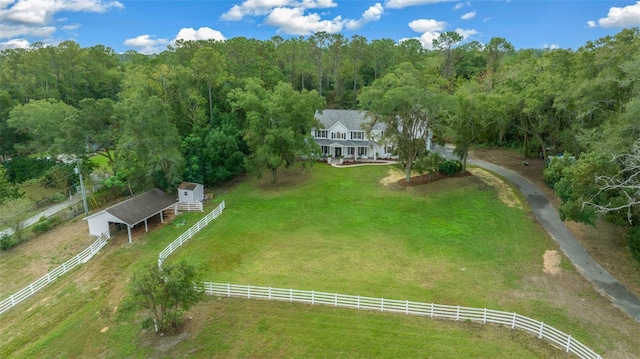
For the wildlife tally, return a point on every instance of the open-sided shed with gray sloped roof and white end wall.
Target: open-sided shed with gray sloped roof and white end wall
(131, 212)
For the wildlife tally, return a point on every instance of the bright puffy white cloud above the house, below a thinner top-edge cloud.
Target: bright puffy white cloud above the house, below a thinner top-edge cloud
(293, 21)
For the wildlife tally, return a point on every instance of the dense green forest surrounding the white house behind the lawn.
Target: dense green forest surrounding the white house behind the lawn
(207, 111)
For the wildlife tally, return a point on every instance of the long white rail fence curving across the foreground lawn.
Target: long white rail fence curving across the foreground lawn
(512, 320)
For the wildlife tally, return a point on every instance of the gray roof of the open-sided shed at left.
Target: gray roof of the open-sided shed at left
(141, 207)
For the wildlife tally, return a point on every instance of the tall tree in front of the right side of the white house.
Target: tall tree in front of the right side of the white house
(408, 105)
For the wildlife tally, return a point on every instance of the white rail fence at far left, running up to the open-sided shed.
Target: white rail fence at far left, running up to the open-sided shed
(45, 280)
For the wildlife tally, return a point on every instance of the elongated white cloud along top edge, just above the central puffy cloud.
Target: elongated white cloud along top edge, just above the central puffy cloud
(265, 7)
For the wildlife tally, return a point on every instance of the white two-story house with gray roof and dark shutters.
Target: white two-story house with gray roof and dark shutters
(343, 135)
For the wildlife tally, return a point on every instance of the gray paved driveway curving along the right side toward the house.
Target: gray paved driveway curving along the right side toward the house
(548, 217)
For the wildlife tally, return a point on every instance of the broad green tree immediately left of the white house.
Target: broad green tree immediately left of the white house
(279, 124)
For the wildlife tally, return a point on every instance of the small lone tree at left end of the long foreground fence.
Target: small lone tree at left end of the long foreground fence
(166, 293)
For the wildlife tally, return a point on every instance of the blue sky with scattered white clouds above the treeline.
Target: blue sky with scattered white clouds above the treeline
(149, 26)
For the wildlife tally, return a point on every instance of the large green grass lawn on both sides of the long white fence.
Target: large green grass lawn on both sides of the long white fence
(334, 230)
